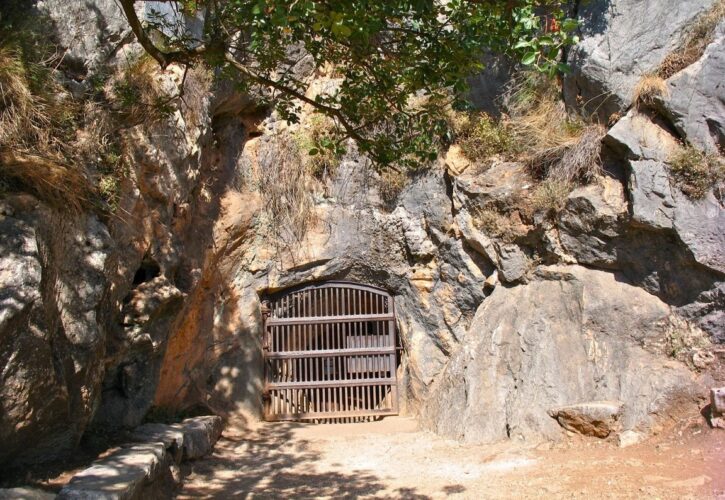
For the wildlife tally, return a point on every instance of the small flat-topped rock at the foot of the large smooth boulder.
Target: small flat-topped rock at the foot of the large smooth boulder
(596, 418)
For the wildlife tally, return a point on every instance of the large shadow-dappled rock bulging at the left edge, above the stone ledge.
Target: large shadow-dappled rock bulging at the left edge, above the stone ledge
(51, 287)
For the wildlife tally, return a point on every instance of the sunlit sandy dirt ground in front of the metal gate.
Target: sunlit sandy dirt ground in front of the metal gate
(392, 459)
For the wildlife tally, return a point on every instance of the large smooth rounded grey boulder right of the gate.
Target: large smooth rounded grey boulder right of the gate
(578, 346)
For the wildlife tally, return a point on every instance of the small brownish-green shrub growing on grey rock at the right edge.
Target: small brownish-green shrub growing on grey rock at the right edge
(695, 172)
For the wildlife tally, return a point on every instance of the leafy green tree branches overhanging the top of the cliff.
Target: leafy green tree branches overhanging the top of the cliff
(401, 62)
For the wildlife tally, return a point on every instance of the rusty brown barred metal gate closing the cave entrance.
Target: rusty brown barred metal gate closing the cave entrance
(330, 352)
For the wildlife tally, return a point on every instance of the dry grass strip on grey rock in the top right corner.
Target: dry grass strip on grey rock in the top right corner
(696, 38)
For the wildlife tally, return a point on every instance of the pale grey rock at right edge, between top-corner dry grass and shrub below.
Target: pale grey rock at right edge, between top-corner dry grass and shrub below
(696, 101)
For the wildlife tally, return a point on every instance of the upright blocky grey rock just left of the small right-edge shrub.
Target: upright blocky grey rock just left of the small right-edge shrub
(652, 201)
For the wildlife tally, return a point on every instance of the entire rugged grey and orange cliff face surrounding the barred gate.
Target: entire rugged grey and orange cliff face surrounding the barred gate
(506, 315)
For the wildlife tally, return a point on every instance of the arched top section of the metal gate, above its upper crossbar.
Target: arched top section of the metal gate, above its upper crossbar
(331, 299)
